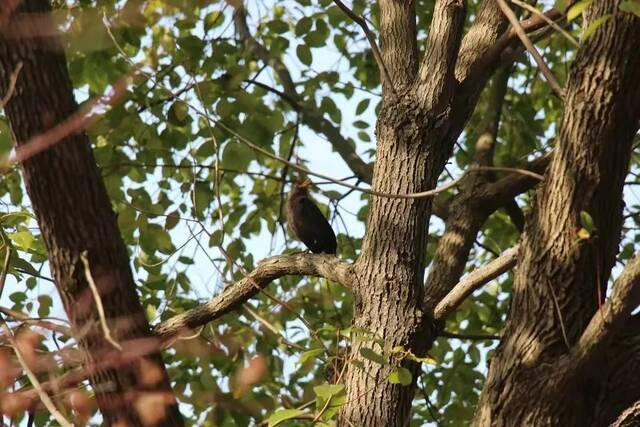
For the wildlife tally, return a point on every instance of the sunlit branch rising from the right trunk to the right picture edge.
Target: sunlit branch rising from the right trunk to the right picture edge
(607, 321)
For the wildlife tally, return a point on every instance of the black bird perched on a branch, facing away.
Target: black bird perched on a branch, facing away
(308, 223)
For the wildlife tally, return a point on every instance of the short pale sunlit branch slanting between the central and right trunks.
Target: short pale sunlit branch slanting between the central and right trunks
(475, 280)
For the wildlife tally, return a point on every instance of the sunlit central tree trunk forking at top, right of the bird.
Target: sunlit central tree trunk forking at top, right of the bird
(411, 152)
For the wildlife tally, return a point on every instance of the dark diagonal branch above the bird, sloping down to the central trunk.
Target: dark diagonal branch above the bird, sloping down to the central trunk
(310, 117)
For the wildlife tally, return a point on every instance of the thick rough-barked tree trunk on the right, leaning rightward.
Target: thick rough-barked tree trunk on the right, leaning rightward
(560, 278)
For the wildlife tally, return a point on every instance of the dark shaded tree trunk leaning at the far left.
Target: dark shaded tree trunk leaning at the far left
(75, 216)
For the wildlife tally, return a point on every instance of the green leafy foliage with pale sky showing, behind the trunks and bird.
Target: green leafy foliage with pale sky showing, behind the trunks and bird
(198, 204)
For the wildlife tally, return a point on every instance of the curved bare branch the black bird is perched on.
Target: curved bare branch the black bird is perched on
(233, 296)
